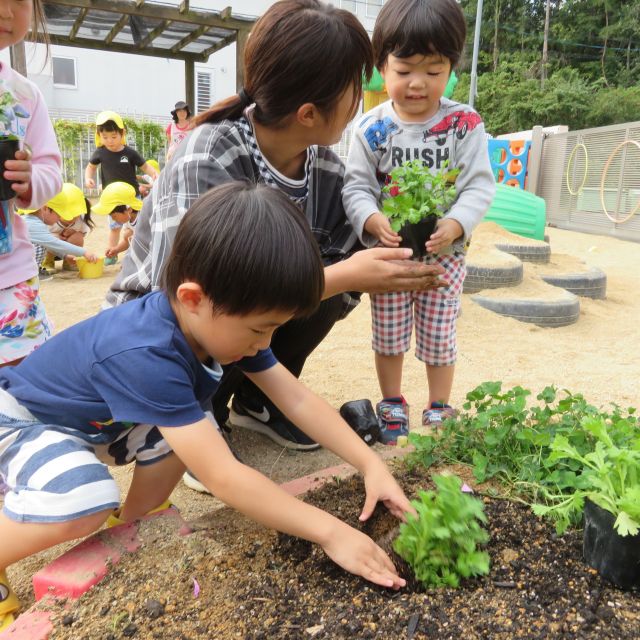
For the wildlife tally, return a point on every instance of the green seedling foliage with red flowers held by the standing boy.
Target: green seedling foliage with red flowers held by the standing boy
(416, 193)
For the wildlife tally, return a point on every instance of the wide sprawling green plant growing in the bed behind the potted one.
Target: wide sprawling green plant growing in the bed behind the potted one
(509, 441)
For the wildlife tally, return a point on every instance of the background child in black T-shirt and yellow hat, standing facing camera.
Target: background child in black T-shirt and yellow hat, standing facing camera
(118, 162)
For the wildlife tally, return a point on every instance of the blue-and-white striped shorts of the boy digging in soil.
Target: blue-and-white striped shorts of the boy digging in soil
(55, 474)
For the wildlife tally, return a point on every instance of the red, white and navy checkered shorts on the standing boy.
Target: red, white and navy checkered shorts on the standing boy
(434, 313)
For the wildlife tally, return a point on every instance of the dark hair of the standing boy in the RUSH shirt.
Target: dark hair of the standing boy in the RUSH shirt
(406, 27)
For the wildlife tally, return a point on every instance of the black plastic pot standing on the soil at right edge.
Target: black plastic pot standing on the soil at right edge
(616, 557)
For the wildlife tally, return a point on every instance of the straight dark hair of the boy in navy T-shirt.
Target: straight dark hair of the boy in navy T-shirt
(250, 249)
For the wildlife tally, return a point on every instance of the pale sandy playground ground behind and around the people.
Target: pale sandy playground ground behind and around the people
(598, 356)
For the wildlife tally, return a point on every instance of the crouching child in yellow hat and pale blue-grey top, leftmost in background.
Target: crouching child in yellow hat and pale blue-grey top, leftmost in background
(66, 205)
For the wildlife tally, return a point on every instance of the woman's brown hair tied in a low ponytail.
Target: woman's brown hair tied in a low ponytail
(299, 51)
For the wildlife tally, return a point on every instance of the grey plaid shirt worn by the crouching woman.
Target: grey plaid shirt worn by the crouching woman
(211, 155)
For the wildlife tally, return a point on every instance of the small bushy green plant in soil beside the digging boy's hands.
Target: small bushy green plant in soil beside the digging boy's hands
(441, 543)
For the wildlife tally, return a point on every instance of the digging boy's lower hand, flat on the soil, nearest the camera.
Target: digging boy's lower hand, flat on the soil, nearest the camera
(357, 553)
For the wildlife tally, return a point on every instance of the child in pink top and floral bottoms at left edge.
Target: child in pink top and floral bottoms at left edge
(31, 176)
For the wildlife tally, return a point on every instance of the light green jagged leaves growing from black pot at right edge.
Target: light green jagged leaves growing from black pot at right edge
(609, 476)
